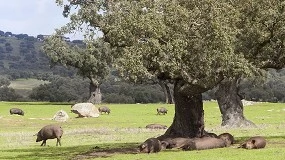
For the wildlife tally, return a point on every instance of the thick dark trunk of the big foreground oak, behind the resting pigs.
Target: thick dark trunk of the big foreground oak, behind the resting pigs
(189, 114)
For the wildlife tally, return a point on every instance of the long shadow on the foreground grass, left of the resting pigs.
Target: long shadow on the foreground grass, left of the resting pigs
(75, 152)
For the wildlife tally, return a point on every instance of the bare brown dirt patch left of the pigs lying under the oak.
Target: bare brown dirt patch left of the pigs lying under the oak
(106, 152)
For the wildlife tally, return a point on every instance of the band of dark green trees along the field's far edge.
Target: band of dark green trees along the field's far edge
(76, 89)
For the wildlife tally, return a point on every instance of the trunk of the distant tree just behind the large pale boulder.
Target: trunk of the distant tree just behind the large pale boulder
(95, 93)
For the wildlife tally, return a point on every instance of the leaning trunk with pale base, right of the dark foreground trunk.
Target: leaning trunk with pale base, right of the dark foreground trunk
(230, 104)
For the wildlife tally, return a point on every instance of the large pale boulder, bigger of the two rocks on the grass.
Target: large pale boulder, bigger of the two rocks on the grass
(85, 110)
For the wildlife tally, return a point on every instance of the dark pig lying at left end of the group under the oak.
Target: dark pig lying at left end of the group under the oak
(151, 145)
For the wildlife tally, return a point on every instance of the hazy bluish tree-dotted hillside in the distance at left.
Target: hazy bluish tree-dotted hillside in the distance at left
(21, 57)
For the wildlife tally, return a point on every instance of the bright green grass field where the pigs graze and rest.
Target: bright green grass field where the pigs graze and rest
(116, 135)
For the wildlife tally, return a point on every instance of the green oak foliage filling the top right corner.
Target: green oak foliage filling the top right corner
(262, 32)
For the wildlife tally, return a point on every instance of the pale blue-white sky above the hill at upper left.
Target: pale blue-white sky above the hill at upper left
(32, 17)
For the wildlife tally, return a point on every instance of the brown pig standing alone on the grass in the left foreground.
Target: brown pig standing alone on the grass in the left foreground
(49, 132)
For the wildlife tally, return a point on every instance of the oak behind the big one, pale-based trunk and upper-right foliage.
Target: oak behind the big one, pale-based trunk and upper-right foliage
(261, 40)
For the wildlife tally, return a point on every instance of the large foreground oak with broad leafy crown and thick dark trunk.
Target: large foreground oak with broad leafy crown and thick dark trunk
(191, 43)
